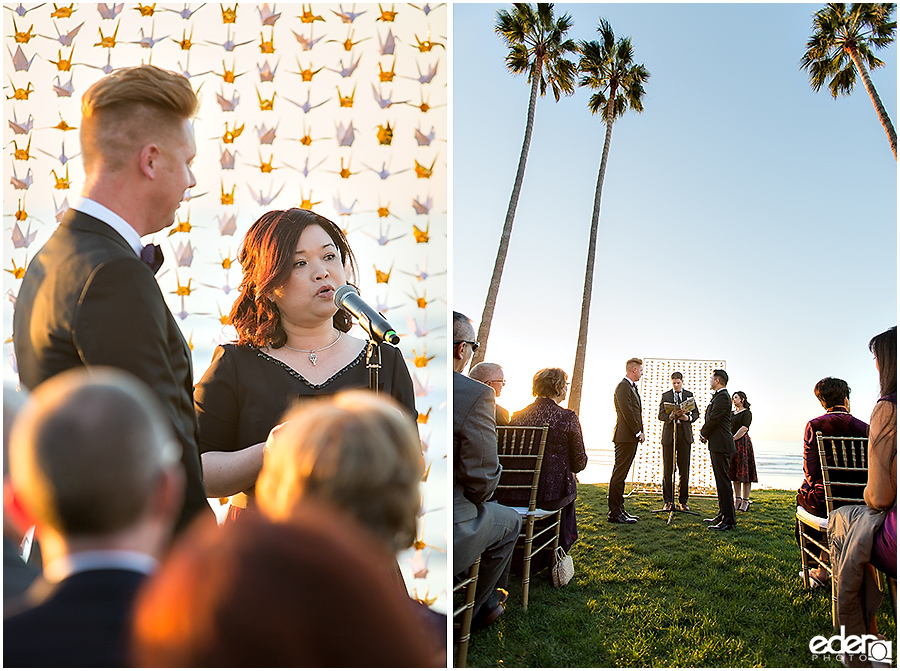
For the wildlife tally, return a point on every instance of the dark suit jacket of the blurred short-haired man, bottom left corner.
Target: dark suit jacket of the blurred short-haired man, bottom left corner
(84, 621)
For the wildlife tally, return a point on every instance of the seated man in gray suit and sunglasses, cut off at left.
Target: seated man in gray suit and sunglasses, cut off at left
(480, 527)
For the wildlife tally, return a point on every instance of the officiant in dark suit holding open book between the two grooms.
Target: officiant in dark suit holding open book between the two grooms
(681, 422)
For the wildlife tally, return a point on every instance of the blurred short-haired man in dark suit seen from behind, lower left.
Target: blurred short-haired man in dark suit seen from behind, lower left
(95, 464)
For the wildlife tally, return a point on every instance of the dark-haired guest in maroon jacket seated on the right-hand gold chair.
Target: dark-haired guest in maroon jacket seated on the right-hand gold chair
(834, 395)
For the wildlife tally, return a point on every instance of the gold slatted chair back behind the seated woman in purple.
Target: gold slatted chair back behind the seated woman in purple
(521, 453)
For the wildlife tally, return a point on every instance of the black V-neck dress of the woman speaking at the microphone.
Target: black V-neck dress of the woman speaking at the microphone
(245, 392)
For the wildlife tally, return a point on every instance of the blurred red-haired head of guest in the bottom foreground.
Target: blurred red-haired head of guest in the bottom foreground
(302, 592)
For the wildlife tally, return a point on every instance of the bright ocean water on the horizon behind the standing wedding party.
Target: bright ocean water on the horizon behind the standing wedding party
(779, 464)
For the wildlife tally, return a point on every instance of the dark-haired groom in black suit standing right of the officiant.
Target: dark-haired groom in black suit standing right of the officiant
(716, 431)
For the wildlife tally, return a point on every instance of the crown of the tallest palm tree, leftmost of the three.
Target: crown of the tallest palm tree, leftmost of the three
(538, 46)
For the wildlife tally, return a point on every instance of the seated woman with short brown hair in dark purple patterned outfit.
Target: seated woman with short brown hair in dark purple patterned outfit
(564, 453)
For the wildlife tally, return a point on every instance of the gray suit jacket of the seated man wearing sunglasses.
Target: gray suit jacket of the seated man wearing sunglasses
(476, 467)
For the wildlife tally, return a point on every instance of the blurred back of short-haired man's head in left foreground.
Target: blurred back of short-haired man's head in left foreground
(88, 450)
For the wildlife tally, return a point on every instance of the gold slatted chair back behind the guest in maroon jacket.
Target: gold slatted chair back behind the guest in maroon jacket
(844, 462)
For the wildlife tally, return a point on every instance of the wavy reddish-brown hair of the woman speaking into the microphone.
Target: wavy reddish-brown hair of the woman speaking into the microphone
(267, 260)
